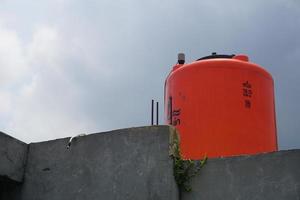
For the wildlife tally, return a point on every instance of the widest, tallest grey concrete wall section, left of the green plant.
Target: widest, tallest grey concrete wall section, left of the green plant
(122, 164)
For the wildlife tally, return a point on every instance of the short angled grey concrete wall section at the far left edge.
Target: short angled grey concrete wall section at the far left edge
(12, 158)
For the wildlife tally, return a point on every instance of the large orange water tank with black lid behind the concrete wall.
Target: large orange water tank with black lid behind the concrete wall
(222, 105)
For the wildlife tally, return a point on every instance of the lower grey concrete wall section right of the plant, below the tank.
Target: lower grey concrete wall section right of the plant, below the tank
(272, 176)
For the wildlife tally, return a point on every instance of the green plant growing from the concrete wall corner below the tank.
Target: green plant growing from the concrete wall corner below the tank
(184, 170)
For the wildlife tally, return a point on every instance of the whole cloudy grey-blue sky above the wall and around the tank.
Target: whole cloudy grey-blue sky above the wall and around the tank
(83, 66)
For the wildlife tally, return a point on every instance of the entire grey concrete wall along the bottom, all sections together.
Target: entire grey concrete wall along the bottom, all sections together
(135, 164)
